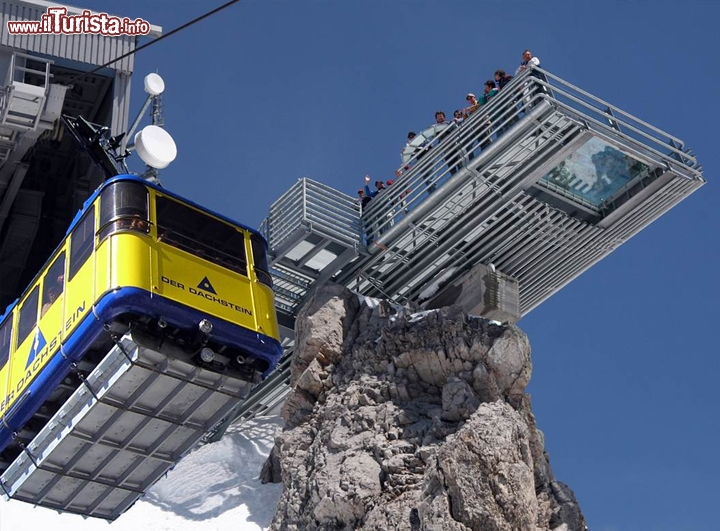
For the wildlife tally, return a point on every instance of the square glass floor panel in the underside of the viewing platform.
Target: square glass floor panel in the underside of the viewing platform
(594, 173)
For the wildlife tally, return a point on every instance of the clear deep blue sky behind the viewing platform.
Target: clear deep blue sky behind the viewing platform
(626, 357)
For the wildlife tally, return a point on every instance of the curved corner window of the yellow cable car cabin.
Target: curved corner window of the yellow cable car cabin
(124, 206)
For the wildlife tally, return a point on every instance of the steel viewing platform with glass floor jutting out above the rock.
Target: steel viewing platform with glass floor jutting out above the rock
(538, 185)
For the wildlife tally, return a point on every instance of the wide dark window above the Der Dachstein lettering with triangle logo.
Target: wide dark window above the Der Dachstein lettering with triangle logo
(200, 234)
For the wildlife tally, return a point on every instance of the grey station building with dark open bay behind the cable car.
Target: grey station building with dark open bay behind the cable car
(44, 178)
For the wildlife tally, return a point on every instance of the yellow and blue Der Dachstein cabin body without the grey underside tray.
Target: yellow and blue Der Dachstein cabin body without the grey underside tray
(136, 258)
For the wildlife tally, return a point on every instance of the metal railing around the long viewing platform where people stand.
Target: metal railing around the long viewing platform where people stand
(442, 158)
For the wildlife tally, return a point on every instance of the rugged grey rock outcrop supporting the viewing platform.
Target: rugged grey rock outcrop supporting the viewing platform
(411, 422)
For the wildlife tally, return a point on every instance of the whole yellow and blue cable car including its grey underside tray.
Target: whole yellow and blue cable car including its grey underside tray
(139, 267)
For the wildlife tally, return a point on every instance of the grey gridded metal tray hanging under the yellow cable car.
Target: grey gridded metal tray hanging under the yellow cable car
(132, 418)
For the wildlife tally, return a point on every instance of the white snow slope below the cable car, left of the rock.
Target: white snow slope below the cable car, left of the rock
(214, 487)
